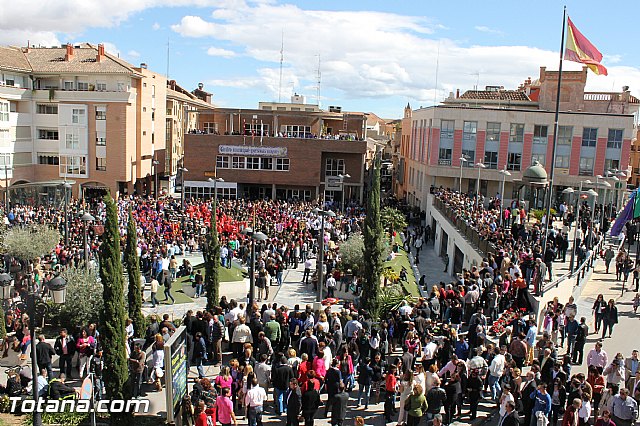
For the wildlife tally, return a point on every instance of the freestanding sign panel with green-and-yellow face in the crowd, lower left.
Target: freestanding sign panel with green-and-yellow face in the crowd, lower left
(175, 358)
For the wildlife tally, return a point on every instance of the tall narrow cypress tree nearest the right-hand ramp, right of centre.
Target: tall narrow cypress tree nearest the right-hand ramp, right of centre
(373, 245)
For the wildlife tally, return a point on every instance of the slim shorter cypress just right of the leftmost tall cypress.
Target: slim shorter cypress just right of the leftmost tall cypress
(133, 271)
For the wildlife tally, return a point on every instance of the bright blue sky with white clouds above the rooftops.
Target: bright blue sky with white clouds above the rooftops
(374, 55)
